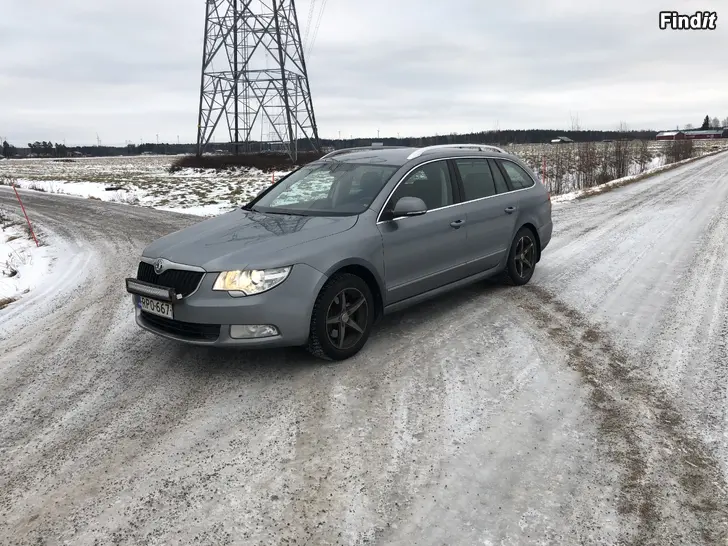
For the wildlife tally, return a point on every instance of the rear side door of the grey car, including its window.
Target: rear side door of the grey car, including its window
(491, 209)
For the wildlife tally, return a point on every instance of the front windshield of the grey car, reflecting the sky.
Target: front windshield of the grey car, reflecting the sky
(326, 189)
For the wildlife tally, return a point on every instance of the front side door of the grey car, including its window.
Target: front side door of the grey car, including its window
(423, 252)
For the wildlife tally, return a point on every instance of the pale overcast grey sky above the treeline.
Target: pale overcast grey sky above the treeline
(130, 69)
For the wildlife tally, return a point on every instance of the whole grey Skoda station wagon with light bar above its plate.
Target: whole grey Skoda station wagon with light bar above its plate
(317, 258)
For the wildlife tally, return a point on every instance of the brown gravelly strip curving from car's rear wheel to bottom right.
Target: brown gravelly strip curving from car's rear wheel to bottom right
(671, 486)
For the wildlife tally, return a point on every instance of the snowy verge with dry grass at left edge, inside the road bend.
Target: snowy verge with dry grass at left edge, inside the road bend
(23, 265)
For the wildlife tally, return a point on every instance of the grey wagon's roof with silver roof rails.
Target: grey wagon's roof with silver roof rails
(400, 155)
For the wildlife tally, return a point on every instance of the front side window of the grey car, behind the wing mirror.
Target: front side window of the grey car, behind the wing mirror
(430, 182)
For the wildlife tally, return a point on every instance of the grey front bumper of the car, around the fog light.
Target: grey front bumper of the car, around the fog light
(205, 317)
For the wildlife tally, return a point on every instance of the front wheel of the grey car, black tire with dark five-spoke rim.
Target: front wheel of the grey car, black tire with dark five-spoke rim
(324, 338)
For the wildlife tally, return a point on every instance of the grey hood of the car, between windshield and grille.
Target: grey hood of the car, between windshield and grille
(240, 239)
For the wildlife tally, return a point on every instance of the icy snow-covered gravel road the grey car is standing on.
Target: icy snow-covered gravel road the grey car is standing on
(586, 408)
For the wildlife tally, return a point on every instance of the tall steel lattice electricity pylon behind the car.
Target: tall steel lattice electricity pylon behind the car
(259, 78)
